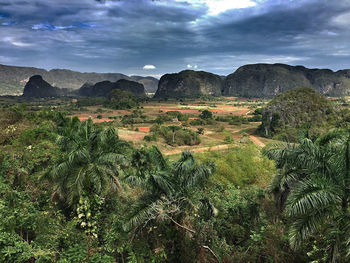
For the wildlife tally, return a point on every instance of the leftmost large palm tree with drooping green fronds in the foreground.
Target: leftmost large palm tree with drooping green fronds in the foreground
(91, 160)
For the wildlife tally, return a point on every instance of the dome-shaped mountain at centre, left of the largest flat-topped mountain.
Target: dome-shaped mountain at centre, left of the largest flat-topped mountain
(189, 84)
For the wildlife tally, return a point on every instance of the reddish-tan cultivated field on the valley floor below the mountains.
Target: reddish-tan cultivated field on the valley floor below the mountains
(214, 136)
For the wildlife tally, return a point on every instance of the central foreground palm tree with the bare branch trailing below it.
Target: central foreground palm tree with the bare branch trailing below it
(168, 195)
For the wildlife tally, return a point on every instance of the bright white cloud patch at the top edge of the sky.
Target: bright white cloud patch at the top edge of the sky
(216, 7)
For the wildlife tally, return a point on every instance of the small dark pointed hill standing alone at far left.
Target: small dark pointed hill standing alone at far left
(36, 87)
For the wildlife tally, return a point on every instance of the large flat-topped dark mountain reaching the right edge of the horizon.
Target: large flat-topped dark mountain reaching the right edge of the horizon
(268, 80)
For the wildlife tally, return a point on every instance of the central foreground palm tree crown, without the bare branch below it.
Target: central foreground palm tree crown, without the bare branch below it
(167, 189)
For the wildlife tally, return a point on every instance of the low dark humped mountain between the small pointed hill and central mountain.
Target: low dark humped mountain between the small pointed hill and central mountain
(104, 88)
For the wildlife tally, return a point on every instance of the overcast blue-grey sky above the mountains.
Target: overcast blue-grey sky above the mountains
(145, 37)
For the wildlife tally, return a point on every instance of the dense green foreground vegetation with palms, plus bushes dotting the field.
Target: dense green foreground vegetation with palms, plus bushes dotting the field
(73, 191)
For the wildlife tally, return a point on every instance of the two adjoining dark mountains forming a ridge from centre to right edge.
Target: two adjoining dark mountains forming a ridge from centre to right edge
(254, 80)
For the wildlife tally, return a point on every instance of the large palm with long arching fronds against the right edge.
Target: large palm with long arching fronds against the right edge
(313, 183)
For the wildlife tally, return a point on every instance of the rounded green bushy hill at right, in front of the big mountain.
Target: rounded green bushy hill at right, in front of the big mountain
(293, 110)
